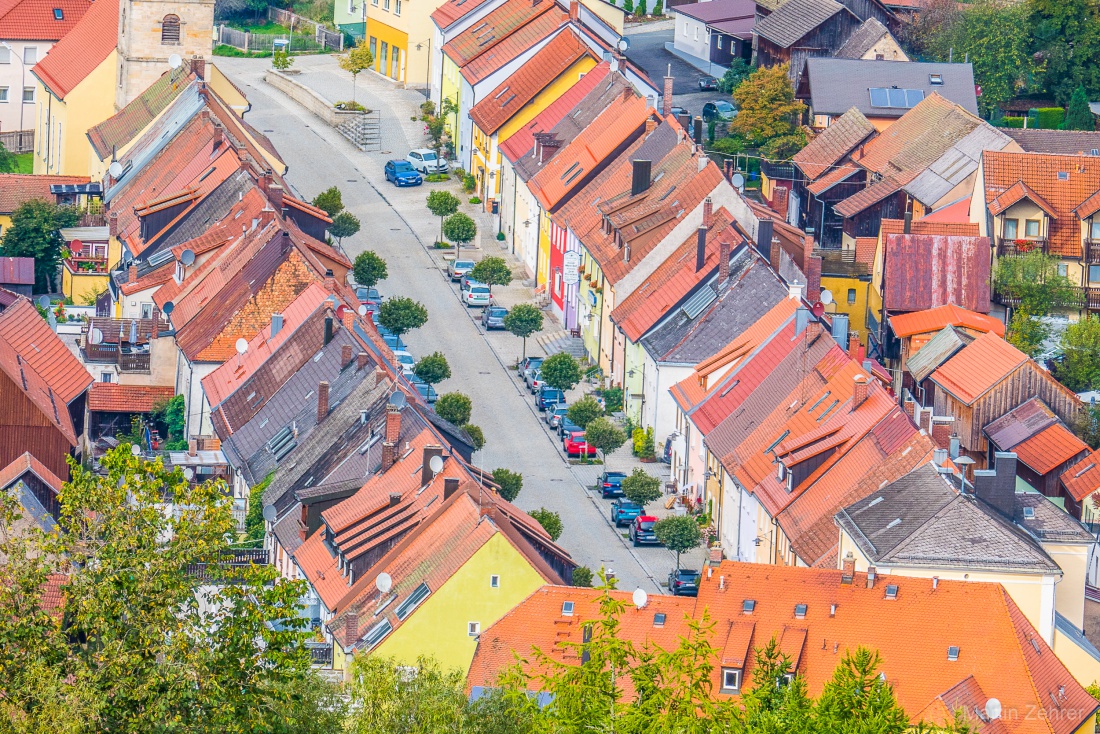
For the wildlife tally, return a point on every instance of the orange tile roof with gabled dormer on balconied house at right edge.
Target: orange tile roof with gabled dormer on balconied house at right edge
(1062, 183)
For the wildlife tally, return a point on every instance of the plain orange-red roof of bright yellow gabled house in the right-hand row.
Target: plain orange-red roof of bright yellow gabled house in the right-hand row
(529, 81)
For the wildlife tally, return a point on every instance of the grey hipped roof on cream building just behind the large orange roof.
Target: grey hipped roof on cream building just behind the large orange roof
(922, 521)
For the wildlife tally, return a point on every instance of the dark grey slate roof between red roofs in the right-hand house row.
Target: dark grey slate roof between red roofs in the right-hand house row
(752, 292)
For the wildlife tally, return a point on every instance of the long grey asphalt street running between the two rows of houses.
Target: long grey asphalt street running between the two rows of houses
(399, 227)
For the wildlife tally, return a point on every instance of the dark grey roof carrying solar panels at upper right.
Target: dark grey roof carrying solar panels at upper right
(837, 85)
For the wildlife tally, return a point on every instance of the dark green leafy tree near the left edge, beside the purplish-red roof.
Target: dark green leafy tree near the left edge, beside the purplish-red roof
(35, 233)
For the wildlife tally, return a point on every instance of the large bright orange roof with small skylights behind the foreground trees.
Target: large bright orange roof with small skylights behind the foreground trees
(999, 650)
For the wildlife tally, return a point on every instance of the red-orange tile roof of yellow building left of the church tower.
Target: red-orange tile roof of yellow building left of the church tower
(84, 49)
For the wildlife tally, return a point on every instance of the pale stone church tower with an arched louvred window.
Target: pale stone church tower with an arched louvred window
(151, 31)
